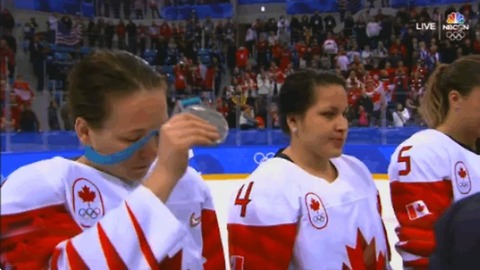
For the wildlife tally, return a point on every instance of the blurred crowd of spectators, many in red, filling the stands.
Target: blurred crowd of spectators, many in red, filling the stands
(384, 59)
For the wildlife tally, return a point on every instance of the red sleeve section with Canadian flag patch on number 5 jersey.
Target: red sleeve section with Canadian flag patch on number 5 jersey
(416, 234)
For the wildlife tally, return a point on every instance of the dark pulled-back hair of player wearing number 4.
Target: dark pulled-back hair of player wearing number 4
(297, 94)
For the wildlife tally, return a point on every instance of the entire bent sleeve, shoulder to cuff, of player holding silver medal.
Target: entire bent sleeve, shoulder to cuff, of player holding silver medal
(137, 234)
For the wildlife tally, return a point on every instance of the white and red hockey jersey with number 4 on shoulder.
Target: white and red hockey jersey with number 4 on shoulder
(285, 218)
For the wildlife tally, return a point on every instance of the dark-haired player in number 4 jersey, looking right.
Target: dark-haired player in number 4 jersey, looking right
(309, 207)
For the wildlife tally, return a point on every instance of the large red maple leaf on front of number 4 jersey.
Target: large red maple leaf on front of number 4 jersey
(364, 255)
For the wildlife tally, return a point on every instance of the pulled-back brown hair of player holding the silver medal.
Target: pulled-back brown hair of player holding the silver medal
(105, 74)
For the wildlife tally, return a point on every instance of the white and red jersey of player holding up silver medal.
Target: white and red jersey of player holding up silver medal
(72, 216)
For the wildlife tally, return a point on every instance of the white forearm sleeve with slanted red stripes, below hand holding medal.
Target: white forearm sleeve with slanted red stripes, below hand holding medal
(138, 234)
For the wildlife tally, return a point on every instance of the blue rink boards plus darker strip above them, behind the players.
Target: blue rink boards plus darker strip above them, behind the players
(374, 146)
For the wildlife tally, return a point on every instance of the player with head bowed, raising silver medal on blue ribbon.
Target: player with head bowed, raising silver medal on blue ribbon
(95, 212)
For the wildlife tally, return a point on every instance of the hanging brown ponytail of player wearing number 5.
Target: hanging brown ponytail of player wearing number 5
(434, 105)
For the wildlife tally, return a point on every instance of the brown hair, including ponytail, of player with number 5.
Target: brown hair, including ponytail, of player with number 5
(461, 75)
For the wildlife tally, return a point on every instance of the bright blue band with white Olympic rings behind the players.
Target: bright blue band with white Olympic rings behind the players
(221, 160)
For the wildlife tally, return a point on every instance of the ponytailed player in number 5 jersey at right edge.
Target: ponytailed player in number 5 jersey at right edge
(440, 165)
